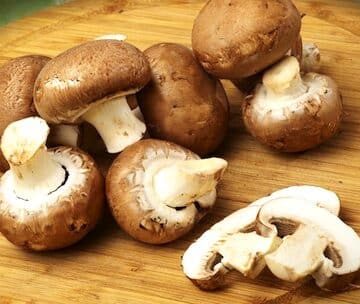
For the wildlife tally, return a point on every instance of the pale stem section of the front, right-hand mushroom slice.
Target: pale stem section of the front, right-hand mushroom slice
(299, 255)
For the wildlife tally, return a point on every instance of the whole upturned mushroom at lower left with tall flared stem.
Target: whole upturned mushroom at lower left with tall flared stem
(49, 199)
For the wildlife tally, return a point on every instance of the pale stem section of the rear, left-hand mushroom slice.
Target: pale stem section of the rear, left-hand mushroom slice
(244, 252)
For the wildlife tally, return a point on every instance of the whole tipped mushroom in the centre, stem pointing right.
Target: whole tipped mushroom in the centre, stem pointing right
(157, 190)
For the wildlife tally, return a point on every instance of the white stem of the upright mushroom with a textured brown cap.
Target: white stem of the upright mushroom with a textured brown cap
(116, 123)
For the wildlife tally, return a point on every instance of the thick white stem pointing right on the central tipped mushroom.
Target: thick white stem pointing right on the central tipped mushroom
(183, 182)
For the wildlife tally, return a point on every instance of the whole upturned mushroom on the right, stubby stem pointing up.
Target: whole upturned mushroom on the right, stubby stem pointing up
(290, 112)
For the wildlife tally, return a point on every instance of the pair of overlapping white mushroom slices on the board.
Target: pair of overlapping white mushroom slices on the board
(299, 221)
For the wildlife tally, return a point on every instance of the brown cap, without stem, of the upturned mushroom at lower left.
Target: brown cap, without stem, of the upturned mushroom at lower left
(57, 220)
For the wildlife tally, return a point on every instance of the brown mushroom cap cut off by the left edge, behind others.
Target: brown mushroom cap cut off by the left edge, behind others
(17, 78)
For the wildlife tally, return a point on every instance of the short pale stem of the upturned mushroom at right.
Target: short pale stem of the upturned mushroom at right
(284, 79)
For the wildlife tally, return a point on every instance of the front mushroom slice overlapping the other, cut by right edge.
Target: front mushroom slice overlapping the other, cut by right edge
(323, 244)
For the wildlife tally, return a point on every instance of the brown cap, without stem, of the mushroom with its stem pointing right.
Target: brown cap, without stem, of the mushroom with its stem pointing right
(133, 210)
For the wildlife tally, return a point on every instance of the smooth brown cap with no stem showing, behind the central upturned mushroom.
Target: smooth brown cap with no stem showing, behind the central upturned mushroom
(182, 103)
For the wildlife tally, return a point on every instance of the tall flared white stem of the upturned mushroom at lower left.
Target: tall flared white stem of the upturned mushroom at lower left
(35, 173)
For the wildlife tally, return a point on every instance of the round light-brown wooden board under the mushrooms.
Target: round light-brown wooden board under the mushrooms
(110, 267)
